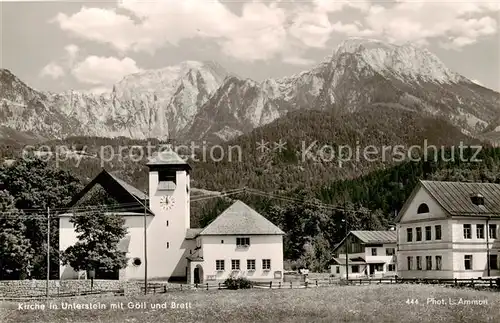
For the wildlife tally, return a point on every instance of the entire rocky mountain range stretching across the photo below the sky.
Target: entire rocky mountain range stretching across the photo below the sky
(203, 101)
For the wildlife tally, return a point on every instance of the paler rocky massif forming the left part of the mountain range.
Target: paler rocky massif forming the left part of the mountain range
(157, 103)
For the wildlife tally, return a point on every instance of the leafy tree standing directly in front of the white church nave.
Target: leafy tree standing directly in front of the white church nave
(99, 235)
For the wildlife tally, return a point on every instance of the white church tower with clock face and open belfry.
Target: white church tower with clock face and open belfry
(169, 201)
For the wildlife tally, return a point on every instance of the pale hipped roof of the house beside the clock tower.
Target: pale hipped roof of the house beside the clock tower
(240, 219)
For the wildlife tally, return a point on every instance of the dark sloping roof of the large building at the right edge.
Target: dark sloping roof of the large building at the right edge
(455, 197)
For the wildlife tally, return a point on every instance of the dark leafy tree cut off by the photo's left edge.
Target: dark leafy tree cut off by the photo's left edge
(15, 249)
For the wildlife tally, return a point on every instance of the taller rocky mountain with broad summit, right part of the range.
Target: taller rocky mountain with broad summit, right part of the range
(360, 72)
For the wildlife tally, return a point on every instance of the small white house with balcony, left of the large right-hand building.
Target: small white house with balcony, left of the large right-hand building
(370, 254)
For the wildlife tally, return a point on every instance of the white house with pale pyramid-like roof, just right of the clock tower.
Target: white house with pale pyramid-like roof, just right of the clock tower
(240, 242)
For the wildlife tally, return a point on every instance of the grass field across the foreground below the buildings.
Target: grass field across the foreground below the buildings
(374, 303)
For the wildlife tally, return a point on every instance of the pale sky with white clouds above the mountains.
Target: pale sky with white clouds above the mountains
(77, 45)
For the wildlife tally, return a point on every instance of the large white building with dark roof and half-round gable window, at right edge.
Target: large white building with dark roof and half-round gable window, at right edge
(449, 230)
